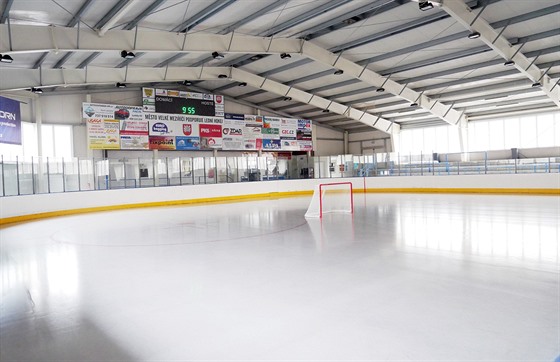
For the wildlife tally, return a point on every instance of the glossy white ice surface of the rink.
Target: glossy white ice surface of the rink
(407, 278)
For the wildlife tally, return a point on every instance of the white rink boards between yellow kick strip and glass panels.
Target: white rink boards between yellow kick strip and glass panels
(13, 206)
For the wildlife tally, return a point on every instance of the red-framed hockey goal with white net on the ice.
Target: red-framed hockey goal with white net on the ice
(331, 198)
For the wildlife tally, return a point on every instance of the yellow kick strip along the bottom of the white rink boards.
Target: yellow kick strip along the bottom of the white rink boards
(274, 195)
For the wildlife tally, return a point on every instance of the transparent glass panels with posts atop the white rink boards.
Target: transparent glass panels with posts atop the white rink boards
(34, 175)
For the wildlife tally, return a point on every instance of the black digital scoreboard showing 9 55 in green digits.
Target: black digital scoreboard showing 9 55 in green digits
(188, 106)
